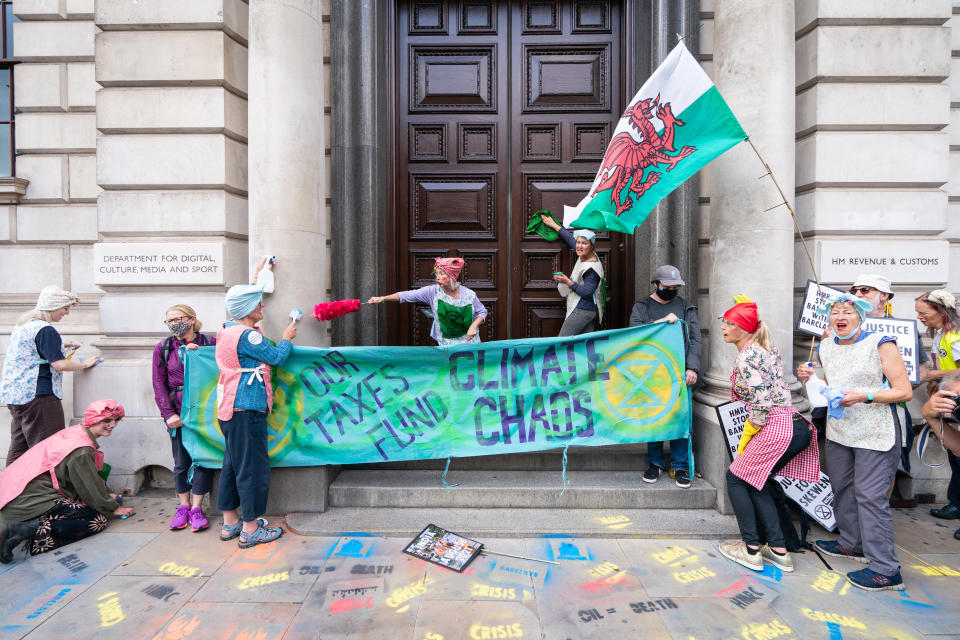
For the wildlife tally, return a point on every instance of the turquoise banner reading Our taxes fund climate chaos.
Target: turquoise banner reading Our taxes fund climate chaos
(373, 404)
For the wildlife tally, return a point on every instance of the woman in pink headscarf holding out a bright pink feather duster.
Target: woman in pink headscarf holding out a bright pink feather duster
(457, 312)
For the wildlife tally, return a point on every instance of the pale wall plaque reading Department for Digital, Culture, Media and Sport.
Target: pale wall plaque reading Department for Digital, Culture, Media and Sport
(139, 263)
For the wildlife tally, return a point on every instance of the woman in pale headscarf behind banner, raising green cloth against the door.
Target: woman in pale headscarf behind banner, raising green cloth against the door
(583, 288)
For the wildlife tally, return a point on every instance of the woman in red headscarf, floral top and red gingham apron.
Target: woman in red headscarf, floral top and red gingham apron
(776, 440)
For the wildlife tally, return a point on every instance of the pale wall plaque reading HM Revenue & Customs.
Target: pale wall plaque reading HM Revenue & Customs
(903, 261)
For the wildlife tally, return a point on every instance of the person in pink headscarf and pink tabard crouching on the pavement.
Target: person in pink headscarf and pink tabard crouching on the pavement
(52, 495)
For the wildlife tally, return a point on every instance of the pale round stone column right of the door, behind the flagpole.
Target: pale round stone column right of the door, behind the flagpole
(751, 249)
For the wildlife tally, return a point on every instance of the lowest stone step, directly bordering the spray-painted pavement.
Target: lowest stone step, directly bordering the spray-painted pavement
(518, 523)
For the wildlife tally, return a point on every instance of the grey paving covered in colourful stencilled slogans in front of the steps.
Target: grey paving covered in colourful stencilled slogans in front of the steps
(139, 580)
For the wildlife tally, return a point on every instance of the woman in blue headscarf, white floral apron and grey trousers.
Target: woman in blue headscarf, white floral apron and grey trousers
(863, 444)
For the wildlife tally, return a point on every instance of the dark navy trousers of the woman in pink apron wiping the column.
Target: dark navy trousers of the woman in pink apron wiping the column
(245, 478)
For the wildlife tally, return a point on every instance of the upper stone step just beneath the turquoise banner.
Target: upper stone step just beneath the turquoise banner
(516, 489)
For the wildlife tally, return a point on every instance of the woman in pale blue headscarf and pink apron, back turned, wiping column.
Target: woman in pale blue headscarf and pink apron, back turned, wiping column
(244, 357)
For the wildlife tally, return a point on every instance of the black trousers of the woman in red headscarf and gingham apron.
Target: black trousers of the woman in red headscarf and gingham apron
(757, 508)
